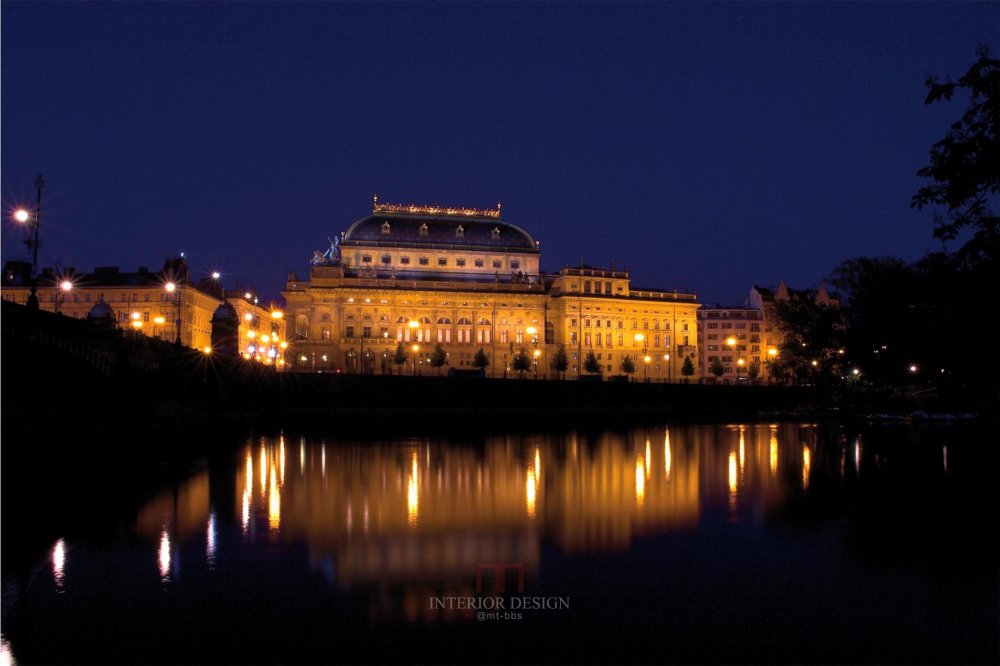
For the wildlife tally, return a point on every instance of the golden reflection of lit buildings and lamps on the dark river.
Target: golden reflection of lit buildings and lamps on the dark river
(430, 511)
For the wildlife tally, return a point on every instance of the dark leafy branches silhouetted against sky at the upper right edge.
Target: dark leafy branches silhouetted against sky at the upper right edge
(965, 164)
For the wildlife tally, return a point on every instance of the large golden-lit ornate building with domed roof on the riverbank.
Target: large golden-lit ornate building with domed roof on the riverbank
(467, 280)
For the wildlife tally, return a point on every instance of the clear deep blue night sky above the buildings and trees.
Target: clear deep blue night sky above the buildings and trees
(704, 146)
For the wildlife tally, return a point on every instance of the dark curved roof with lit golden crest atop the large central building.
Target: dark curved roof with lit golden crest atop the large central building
(424, 226)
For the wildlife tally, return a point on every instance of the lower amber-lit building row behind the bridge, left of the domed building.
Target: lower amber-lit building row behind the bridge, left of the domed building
(155, 303)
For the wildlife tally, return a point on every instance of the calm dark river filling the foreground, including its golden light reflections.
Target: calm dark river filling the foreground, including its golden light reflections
(717, 543)
